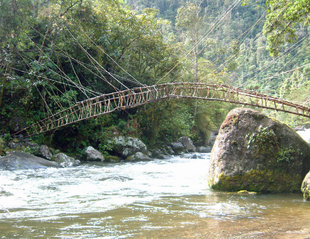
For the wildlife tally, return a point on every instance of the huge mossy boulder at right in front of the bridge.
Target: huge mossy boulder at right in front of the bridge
(256, 153)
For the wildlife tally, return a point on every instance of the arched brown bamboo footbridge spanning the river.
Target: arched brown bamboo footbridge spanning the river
(131, 98)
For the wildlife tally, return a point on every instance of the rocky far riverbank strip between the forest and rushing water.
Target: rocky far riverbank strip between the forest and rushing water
(22, 153)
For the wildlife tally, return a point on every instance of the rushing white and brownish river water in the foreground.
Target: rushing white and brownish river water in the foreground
(157, 199)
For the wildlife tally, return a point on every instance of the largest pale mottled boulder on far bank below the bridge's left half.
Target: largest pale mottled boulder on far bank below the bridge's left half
(127, 146)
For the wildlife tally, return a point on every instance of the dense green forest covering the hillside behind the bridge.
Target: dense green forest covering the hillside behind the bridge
(55, 53)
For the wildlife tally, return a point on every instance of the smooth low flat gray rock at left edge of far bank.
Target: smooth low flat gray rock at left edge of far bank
(20, 160)
